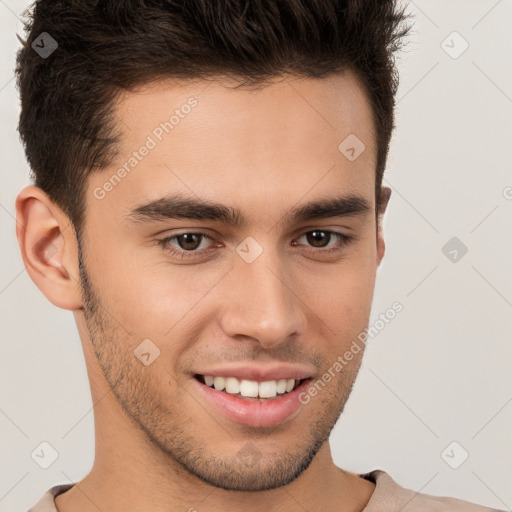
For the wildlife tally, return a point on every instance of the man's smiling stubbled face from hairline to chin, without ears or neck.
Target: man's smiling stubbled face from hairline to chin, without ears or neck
(241, 244)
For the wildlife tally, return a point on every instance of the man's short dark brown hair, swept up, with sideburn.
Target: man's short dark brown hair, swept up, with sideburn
(105, 46)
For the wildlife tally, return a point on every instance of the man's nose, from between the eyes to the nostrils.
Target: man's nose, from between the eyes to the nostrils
(261, 303)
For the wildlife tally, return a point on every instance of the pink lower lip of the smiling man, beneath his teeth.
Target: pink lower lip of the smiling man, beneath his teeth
(251, 412)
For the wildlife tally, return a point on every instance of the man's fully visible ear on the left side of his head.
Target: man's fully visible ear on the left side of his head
(48, 247)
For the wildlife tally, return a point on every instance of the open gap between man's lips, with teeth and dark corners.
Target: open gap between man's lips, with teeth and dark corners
(250, 390)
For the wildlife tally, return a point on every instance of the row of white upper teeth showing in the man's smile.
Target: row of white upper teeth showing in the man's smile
(250, 388)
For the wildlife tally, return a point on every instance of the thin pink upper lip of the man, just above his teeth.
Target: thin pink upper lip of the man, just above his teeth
(258, 373)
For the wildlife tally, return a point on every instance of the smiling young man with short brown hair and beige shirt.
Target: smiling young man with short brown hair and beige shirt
(208, 203)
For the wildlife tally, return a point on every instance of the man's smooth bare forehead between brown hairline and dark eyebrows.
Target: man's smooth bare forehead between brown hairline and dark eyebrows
(247, 145)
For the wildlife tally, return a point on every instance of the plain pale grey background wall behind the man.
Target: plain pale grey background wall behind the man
(439, 372)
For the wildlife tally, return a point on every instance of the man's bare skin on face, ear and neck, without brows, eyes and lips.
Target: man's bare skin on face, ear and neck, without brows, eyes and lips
(159, 445)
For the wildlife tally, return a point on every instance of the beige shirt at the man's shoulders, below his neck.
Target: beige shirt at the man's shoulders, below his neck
(388, 496)
